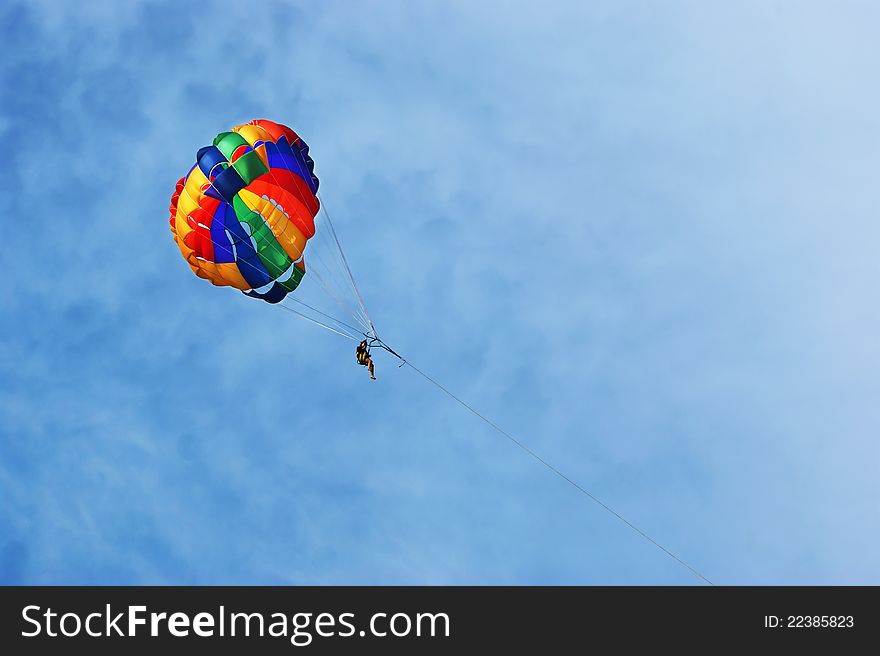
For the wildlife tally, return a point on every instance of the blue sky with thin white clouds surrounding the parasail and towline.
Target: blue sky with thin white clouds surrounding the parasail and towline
(642, 238)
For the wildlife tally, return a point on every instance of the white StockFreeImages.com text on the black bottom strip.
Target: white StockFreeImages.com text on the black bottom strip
(300, 628)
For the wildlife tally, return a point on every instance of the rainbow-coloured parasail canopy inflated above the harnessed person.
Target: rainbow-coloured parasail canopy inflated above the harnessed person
(243, 214)
